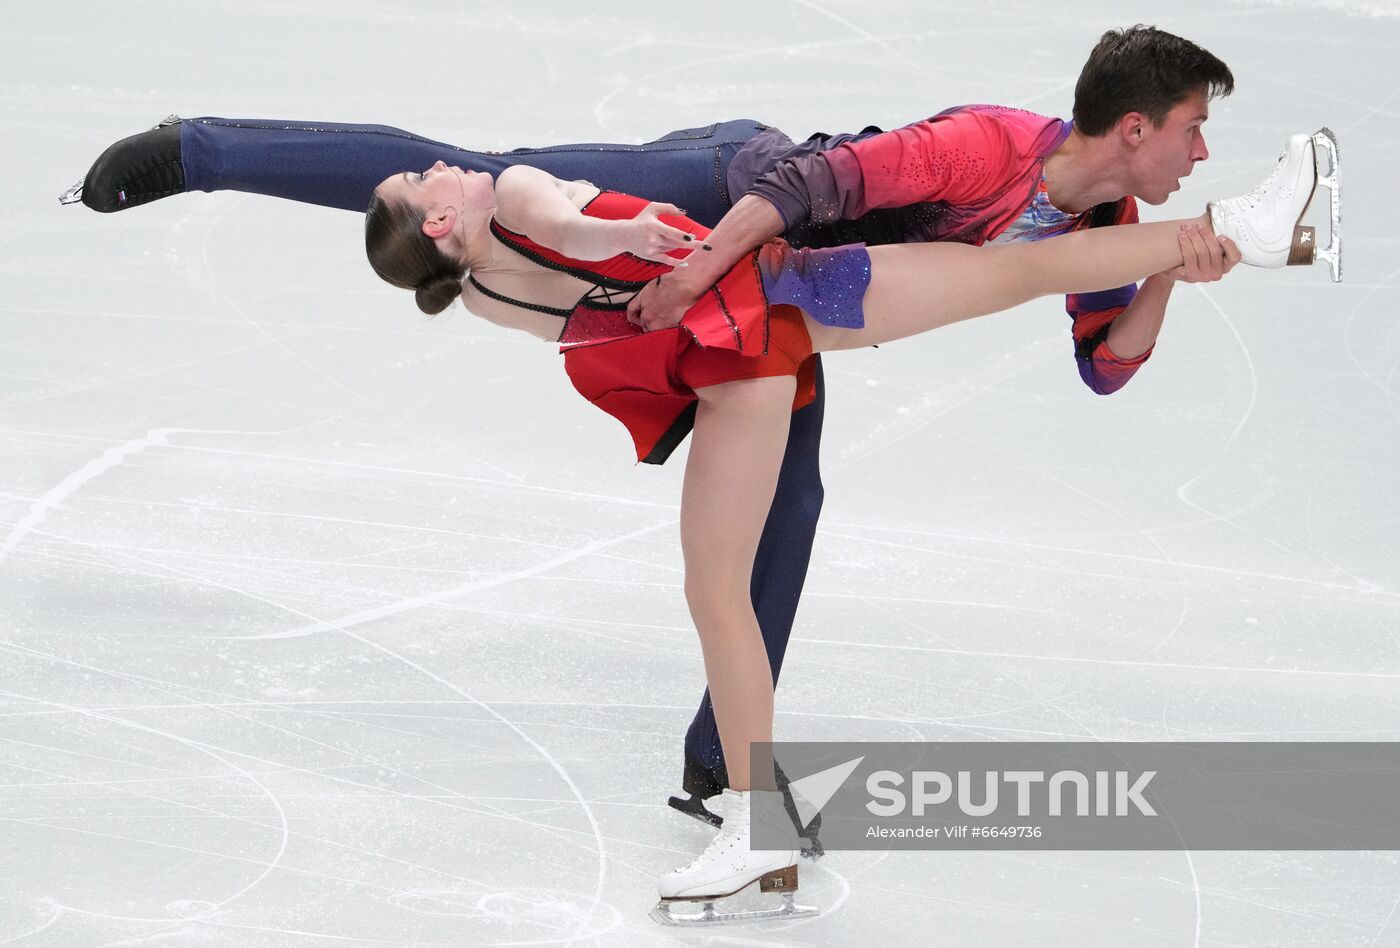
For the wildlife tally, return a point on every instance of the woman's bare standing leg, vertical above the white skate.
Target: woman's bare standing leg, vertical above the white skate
(736, 453)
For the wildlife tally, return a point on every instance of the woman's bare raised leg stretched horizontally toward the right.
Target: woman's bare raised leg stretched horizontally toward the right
(916, 288)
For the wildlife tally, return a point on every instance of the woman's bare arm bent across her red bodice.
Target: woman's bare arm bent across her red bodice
(533, 202)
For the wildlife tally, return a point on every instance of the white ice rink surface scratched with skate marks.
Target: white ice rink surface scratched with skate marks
(324, 624)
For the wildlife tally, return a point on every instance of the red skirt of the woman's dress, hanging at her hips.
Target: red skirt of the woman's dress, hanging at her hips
(647, 380)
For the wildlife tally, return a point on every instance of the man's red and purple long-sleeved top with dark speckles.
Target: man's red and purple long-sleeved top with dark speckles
(972, 174)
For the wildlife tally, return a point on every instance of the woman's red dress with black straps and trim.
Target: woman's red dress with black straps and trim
(647, 380)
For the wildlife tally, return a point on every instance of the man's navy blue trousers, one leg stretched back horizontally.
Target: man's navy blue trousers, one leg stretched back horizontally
(339, 166)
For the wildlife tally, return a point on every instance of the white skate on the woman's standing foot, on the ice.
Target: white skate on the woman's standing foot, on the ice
(729, 866)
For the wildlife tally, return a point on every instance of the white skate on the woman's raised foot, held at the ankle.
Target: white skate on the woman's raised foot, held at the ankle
(1266, 223)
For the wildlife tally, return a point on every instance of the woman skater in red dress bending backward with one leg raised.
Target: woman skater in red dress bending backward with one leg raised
(561, 260)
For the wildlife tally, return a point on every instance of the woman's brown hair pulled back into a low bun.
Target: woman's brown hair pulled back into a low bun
(408, 258)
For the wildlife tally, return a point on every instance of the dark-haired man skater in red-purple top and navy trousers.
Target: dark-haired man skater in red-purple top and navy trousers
(971, 174)
